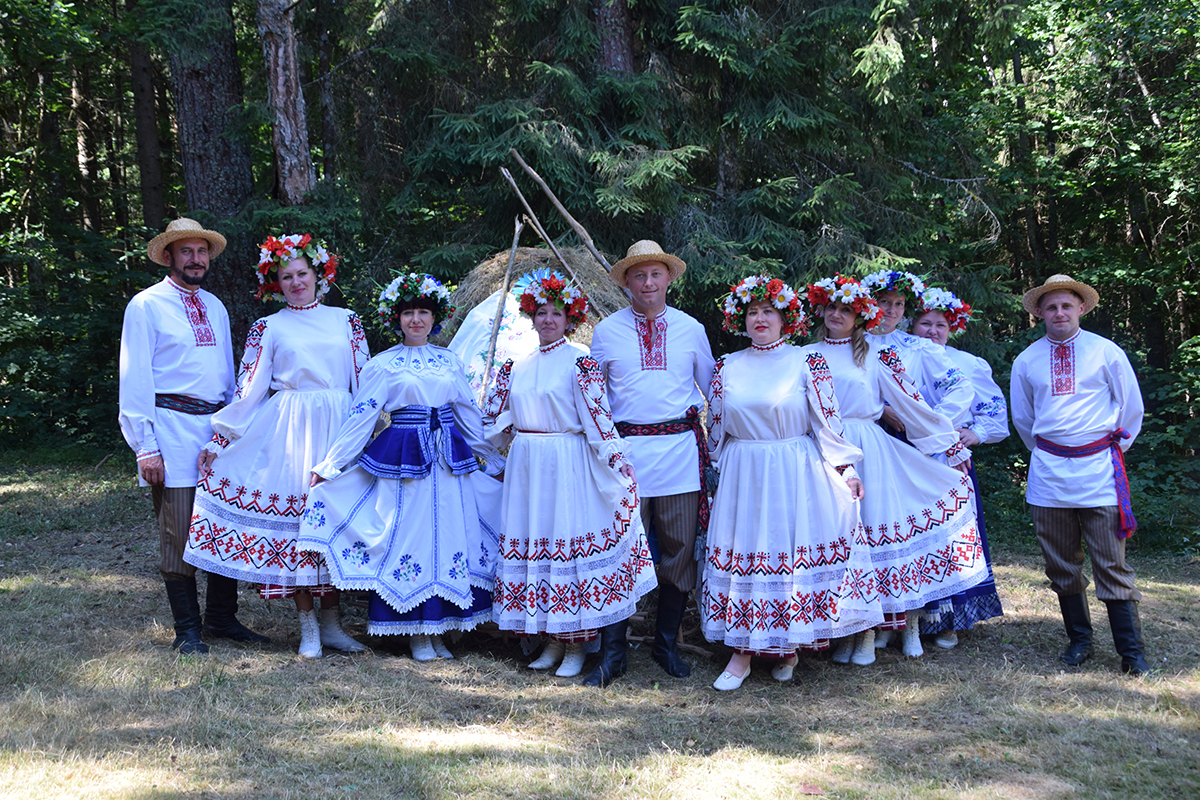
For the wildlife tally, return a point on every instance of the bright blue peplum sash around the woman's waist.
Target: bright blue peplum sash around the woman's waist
(418, 437)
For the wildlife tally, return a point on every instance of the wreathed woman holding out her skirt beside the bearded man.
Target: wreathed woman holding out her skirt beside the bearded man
(295, 388)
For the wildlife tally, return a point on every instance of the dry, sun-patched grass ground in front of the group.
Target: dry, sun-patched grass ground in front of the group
(94, 705)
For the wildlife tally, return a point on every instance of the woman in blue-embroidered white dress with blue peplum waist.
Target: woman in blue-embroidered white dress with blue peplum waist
(399, 516)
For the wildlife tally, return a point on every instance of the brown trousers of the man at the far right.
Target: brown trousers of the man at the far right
(1063, 533)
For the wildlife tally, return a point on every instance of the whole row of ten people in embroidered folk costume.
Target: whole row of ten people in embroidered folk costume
(831, 500)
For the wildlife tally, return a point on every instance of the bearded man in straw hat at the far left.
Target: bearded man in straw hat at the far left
(176, 371)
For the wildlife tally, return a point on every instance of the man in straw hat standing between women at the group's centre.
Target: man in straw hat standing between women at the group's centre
(659, 366)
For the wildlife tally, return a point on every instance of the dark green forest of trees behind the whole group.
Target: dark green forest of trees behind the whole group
(985, 146)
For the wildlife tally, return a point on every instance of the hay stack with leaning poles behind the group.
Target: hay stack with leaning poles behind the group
(604, 297)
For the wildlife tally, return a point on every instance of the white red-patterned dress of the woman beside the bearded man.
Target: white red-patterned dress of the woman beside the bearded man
(295, 388)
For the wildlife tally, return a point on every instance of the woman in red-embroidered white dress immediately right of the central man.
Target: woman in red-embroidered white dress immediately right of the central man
(785, 563)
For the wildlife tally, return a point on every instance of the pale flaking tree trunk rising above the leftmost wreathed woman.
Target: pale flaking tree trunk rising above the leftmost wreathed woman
(293, 160)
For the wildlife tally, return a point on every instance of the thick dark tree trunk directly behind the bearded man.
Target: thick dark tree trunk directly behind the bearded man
(207, 82)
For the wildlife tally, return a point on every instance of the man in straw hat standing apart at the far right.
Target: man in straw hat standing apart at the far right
(1078, 408)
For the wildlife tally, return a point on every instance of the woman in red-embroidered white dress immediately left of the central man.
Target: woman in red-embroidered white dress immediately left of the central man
(574, 557)
